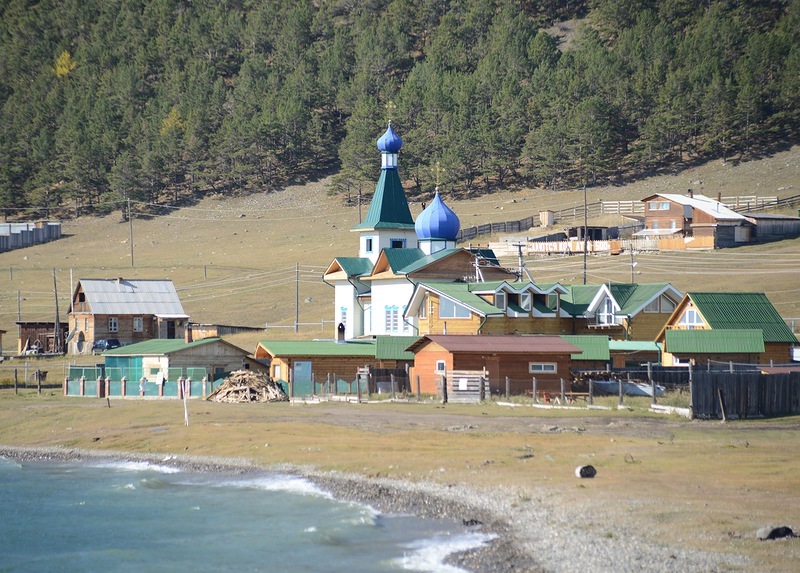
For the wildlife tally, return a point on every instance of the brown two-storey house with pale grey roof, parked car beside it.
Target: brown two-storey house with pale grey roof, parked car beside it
(129, 310)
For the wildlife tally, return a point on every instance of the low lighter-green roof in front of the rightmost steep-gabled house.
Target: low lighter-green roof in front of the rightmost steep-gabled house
(721, 341)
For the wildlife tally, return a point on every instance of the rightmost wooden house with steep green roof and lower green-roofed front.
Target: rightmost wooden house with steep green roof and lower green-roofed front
(722, 327)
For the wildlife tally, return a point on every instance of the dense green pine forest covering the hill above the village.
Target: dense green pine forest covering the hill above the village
(159, 102)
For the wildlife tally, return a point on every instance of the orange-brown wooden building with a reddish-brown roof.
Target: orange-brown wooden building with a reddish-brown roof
(519, 358)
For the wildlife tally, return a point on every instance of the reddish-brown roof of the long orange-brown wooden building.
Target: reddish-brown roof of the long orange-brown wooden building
(505, 344)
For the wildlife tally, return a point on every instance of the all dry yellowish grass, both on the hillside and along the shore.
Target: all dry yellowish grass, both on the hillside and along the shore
(705, 485)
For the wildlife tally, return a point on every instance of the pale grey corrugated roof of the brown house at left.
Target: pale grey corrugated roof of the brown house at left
(132, 296)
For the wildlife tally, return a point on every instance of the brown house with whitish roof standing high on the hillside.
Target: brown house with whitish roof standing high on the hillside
(694, 215)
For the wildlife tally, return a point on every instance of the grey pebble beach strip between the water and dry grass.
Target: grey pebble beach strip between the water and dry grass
(534, 536)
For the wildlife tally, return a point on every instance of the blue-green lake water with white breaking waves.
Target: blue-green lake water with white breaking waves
(144, 517)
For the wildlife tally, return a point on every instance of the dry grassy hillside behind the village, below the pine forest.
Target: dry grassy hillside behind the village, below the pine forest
(239, 261)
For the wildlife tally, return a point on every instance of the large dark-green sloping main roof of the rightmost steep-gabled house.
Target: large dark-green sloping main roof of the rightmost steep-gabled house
(742, 310)
